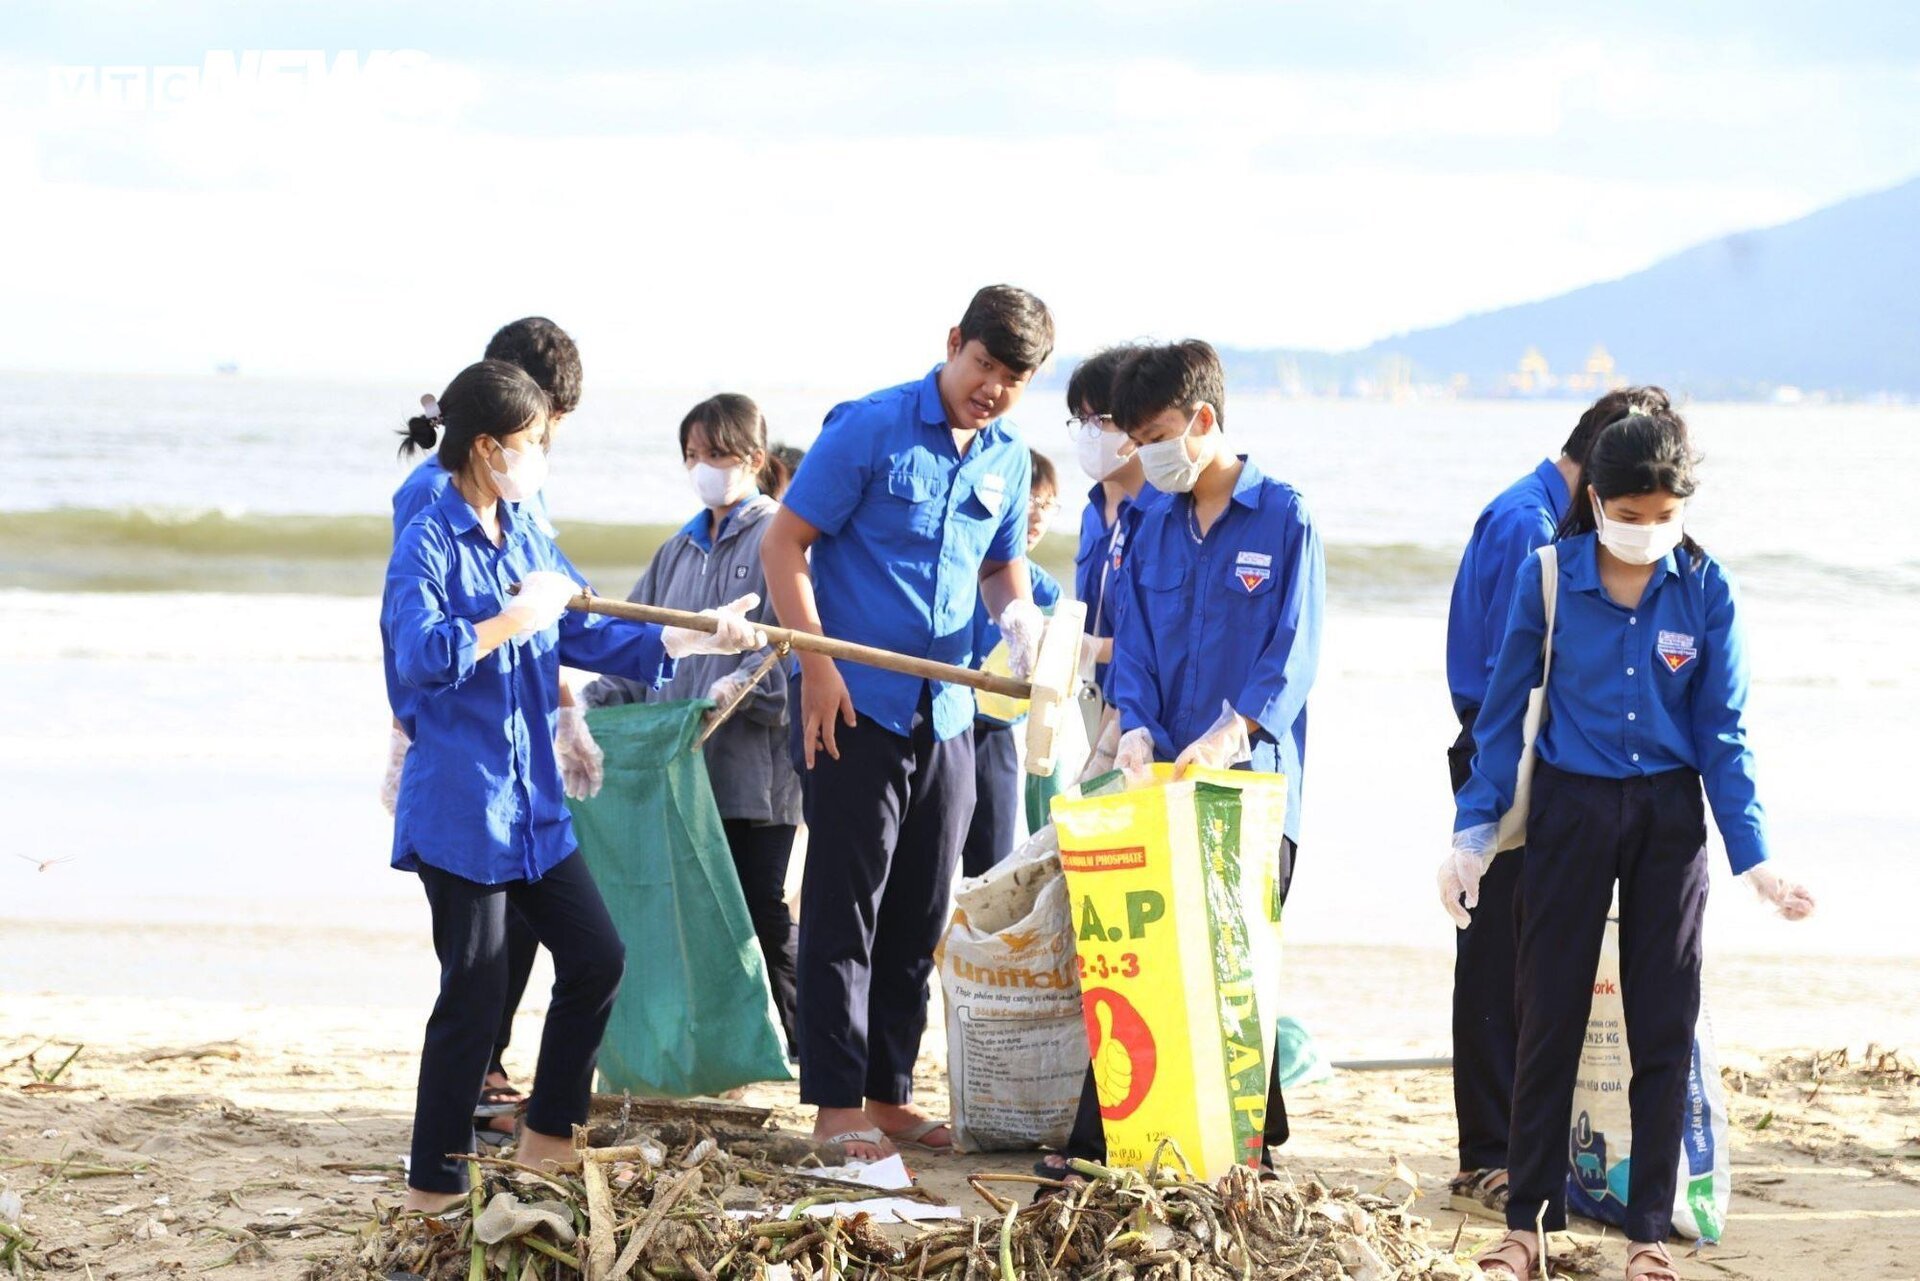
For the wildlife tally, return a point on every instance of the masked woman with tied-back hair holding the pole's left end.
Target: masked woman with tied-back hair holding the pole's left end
(475, 625)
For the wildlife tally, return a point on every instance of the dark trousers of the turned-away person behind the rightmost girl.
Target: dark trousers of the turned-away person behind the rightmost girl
(1485, 1021)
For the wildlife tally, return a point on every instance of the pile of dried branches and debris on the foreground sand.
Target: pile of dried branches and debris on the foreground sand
(648, 1211)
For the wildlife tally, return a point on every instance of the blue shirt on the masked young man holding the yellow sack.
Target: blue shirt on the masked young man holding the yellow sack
(1234, 619)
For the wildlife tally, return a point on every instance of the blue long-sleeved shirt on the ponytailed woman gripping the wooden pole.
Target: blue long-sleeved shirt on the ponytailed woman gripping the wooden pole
(481, 794)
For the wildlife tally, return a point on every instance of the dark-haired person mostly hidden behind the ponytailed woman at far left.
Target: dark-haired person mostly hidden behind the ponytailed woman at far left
(548, 354)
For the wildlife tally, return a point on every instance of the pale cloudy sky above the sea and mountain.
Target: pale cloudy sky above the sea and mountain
(805, 195)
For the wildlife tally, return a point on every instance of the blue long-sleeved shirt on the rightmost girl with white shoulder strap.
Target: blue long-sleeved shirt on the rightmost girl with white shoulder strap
(1635, 692)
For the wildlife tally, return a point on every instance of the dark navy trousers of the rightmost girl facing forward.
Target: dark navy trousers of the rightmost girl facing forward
(1585, 834)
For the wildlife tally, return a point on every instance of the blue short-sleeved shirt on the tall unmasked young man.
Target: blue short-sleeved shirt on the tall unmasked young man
(905, 527)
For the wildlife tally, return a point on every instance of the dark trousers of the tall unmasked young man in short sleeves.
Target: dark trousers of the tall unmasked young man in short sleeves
(886, 825)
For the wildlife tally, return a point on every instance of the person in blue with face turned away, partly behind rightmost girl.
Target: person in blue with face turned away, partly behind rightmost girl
(1512, 527)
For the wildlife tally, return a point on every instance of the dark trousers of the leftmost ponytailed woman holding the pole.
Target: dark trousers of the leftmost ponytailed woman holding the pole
(565, 913)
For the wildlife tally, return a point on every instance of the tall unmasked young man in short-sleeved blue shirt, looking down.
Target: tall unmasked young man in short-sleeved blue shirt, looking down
(915, 510)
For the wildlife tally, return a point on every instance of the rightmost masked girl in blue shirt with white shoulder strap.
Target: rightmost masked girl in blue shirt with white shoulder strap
(1646, 710)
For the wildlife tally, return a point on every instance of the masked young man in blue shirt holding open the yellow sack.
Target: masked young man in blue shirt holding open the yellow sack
(1224, 591)
